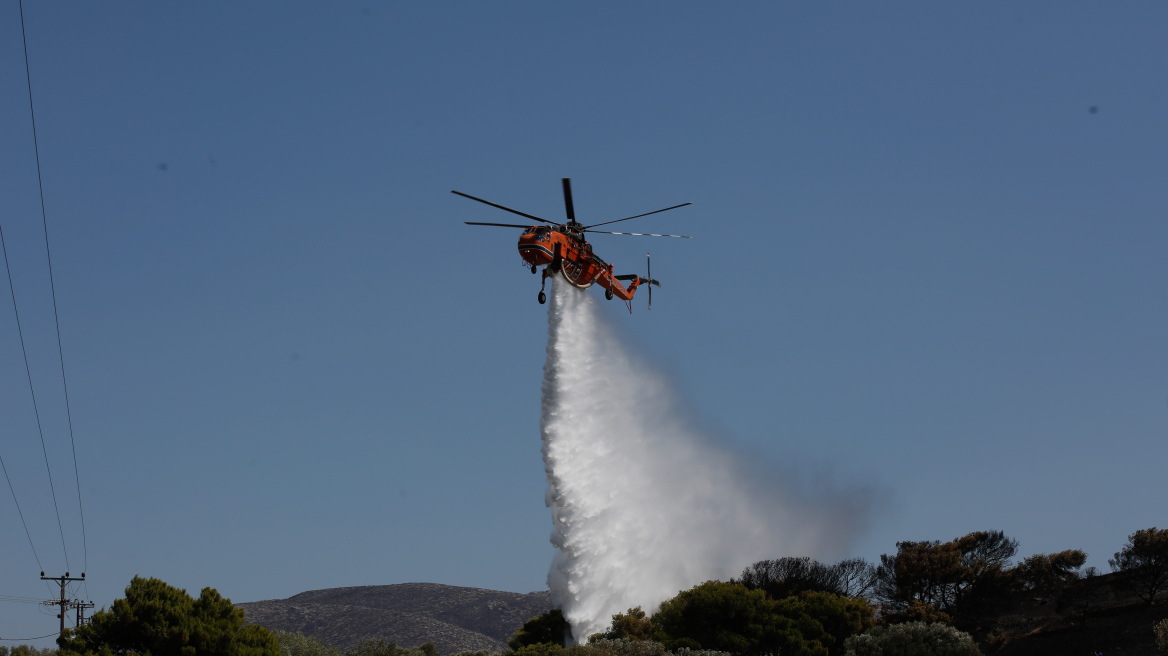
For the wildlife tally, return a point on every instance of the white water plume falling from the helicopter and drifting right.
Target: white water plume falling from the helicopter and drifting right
(644, 505)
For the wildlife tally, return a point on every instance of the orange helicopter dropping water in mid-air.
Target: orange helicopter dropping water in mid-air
(564, 249)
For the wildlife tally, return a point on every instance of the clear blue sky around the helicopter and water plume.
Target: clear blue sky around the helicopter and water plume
(920, 264)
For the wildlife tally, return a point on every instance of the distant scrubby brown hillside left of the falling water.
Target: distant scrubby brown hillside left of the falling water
(455, 619)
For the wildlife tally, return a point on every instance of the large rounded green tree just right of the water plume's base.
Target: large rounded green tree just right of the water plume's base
(735, 619)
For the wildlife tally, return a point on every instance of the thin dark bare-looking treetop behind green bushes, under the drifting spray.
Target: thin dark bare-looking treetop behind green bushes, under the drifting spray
(787, 577)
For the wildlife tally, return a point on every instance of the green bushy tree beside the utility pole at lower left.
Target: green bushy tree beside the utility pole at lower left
(161, 620)
